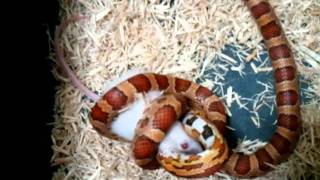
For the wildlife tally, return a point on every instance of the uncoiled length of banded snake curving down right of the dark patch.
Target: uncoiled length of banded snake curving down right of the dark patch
(288, 126)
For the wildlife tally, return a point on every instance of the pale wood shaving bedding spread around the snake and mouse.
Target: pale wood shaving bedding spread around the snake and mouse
(180, 39)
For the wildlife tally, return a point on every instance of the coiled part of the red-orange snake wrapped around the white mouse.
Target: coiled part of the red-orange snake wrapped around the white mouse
(159, 117)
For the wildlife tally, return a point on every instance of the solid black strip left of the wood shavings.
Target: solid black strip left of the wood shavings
(29, 88)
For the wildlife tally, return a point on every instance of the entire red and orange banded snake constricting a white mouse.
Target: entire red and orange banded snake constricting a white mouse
(278, 148)
